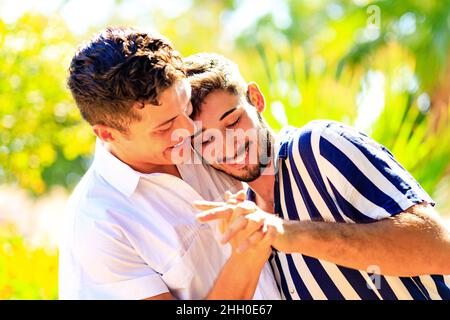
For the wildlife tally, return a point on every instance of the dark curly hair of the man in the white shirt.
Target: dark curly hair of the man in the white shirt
(119, 67)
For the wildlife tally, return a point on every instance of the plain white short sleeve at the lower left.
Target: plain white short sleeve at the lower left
(114, 267)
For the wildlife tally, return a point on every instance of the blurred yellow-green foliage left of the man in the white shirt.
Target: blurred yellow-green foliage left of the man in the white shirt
(42, 139)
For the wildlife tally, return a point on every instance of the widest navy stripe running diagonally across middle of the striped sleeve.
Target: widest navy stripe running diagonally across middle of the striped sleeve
(359, 181)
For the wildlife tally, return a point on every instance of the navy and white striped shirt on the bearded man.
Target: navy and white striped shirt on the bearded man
(328, 171)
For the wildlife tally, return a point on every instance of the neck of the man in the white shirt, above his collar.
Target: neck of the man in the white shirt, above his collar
(140, 166)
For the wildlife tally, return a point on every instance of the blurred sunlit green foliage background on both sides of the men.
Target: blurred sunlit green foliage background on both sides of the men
(316, 60)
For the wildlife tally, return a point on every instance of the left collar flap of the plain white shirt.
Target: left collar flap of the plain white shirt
(117, 173)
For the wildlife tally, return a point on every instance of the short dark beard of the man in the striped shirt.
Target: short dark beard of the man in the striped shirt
(264, 155)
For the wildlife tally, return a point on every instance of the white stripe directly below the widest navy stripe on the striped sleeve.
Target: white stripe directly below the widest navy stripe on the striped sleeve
(364, 205)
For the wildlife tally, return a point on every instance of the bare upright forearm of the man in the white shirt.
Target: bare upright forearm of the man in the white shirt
(238, 279)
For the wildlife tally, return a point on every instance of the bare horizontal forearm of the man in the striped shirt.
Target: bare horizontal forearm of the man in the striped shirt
(405, 246)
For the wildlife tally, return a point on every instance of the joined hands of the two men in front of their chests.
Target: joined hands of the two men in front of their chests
(243, 224)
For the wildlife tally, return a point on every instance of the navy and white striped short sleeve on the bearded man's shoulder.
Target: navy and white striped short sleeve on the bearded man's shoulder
(364, 176)
